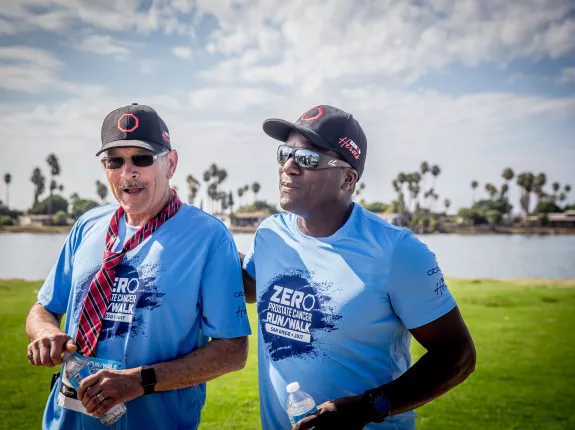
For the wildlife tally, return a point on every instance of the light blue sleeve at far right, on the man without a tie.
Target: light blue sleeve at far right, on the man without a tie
(416, 287)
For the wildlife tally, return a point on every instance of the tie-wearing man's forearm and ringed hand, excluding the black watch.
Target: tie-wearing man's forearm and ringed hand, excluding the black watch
(217, 358)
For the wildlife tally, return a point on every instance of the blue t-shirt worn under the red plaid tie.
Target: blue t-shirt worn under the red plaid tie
(171, 294)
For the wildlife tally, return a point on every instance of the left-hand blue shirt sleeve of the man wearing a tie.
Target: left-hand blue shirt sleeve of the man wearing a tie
(55, 292)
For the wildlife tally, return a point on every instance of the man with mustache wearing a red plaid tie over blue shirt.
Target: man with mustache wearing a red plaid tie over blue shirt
(144, 286)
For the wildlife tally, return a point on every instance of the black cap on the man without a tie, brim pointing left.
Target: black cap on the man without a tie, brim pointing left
(327, 127)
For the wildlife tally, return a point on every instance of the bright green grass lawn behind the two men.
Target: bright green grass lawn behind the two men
(525, 377)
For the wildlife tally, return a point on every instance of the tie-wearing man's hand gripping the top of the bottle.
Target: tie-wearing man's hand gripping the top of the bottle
(47, 348)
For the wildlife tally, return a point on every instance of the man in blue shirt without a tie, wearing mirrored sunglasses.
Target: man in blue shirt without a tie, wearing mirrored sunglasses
(340, 292)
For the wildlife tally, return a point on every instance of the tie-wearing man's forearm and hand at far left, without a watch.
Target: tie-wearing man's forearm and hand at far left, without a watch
(47, 342)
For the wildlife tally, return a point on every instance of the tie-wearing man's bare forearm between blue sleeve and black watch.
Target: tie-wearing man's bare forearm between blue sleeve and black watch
(215, 359)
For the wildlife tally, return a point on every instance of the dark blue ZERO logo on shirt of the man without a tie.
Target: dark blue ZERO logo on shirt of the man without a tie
(293, 311)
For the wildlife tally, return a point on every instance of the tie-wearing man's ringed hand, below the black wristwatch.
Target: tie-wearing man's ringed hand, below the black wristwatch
(107, 388)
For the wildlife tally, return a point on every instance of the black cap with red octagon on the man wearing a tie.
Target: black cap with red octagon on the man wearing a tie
(135, 126)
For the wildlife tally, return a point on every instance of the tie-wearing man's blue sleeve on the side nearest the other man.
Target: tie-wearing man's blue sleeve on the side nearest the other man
(224, 312)
